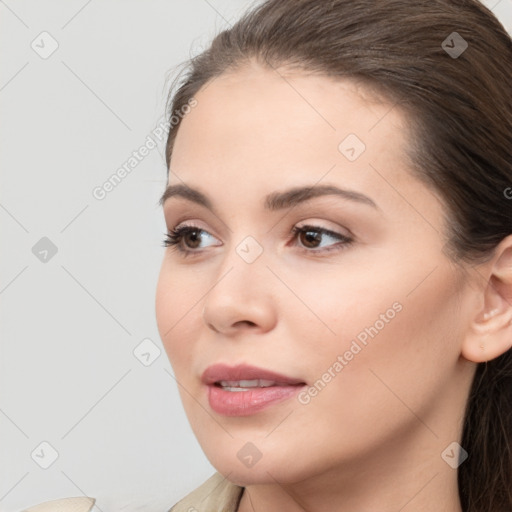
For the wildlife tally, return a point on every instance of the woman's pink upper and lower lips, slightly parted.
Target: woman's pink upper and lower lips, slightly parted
(244, 403)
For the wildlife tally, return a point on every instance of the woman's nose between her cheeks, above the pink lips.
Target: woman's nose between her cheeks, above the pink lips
(242, 299)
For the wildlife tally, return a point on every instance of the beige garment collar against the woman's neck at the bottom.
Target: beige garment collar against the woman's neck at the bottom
(217, 494)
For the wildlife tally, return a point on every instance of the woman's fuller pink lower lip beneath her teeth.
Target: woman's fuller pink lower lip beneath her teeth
(244, 403)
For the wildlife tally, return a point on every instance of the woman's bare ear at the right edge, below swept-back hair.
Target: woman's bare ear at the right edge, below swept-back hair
(490, 332)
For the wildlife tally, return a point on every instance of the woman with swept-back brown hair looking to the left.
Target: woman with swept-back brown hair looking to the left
(336, 296)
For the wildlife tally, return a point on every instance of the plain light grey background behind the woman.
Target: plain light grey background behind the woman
(73, 371)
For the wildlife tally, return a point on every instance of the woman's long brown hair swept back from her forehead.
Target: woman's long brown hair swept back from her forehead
(459, 106)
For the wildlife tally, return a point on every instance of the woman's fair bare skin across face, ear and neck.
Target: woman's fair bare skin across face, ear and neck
(372, 438)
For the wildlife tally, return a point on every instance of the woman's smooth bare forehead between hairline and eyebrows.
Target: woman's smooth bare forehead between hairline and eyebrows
(265, 128)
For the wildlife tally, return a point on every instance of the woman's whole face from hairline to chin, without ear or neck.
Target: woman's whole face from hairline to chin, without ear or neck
(361, 310)
